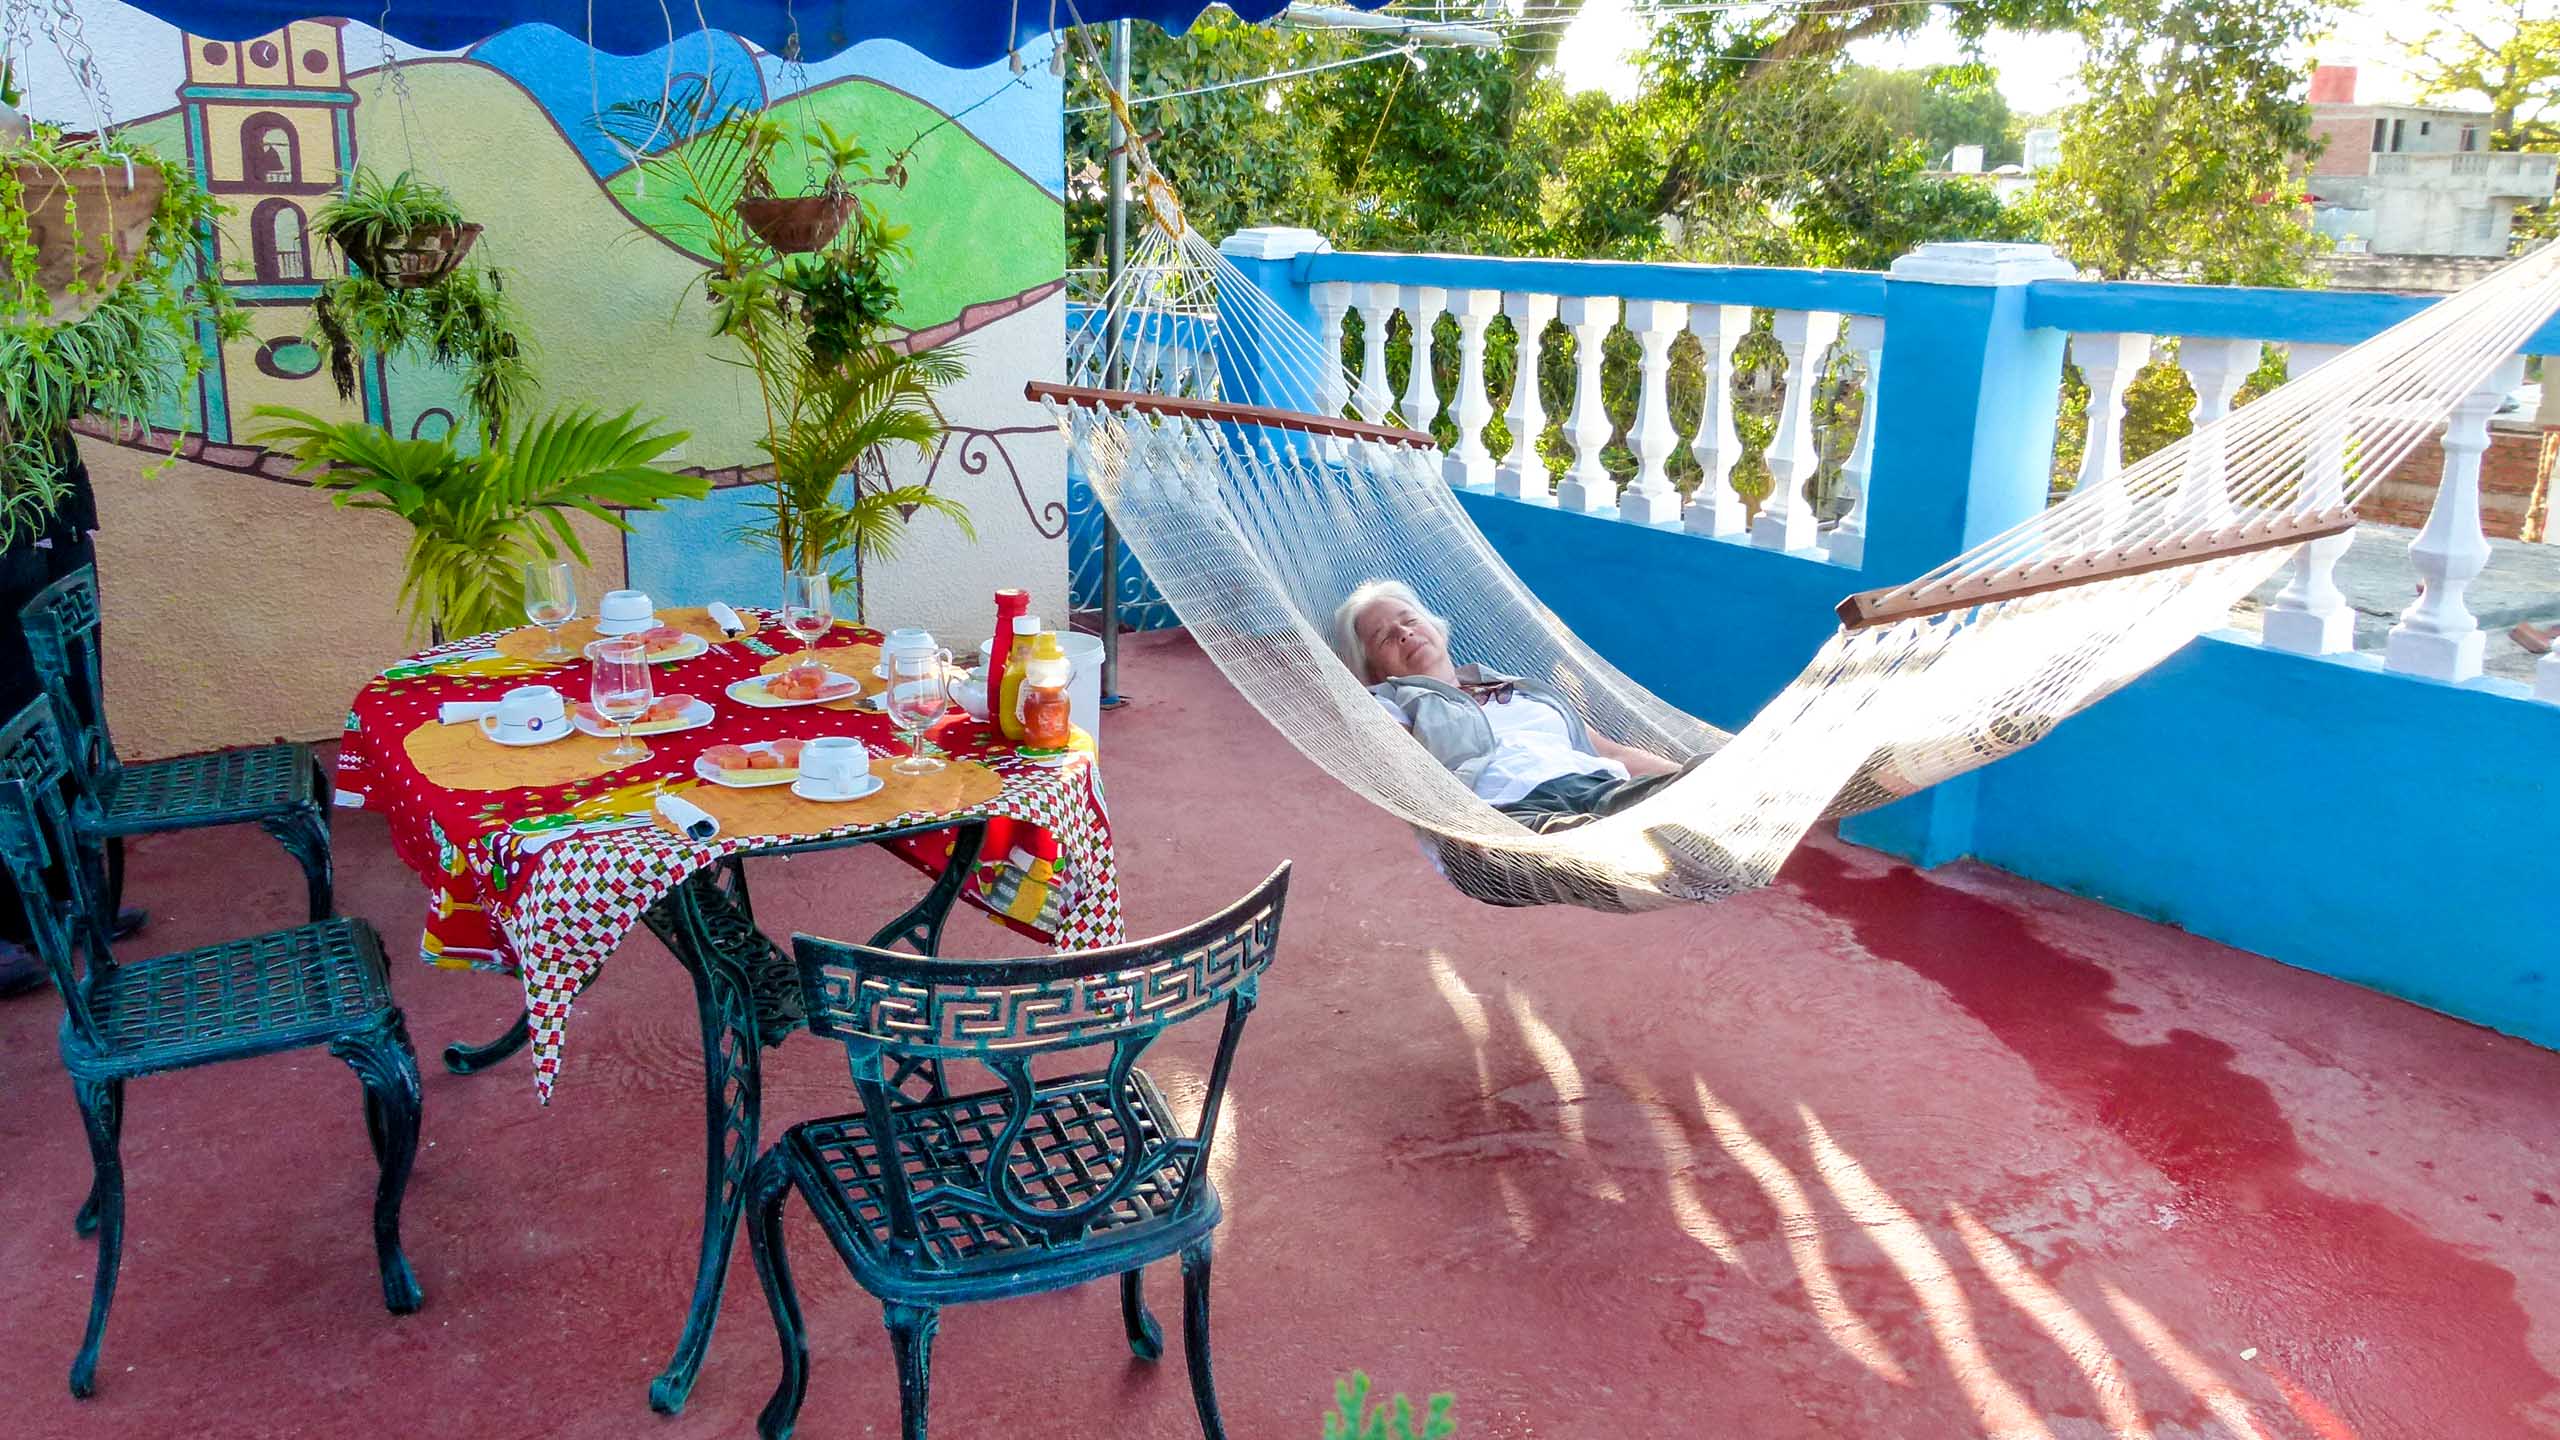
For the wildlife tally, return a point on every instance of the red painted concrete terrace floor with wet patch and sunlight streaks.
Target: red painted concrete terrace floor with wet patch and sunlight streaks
(1868, 1154)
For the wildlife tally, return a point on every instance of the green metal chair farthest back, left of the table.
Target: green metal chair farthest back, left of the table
(278, 788)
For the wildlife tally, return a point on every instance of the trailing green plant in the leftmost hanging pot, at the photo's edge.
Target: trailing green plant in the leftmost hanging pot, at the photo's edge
(132, 345)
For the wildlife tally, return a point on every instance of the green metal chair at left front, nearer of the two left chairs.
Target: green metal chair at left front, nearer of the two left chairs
(288, 990)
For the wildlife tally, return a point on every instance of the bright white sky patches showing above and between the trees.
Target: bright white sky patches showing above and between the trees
(2036, 73)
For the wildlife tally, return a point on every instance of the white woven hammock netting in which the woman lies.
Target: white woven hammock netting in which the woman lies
(1258, 529)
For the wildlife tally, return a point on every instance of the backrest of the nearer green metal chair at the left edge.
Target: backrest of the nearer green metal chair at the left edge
(55, 870)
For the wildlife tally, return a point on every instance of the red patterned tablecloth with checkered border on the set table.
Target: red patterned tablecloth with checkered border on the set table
(547, 880)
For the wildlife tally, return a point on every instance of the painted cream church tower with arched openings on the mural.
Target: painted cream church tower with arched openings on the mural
(270, 129)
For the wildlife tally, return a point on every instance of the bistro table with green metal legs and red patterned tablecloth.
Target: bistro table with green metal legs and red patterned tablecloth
(541, 860)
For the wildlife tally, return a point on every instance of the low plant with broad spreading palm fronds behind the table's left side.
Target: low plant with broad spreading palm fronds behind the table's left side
(477, 519)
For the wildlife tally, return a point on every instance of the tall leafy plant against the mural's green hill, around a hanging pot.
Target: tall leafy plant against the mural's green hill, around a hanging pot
(810, 327)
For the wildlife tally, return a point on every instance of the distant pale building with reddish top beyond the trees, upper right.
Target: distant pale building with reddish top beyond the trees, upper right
(2415, 181)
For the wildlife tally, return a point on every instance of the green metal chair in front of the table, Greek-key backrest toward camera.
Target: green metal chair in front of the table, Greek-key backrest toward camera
(1036, 1185)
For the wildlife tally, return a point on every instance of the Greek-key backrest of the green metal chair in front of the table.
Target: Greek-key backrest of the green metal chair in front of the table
(895, 1011)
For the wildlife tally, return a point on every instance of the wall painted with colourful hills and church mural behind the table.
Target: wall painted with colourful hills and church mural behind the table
(598, 260)
